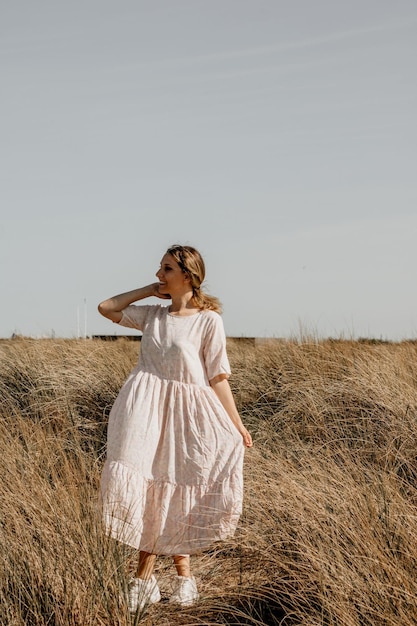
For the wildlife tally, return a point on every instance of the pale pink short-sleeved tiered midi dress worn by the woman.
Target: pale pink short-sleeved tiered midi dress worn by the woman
(172, 481)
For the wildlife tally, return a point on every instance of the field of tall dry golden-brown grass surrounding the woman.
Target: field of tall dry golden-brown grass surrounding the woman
(328, 534)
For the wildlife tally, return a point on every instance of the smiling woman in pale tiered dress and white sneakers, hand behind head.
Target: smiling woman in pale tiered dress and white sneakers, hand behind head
(172, 481)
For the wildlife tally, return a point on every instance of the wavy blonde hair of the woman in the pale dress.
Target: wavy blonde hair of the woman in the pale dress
(191, 262)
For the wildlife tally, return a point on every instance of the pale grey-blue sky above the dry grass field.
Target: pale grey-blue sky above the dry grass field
(277, 136)
